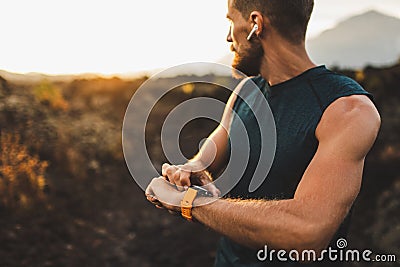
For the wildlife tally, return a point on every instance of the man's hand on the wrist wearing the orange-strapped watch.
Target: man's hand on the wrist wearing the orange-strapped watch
(164, 194)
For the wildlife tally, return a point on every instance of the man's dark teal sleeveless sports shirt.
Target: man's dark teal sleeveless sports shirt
(297, 106)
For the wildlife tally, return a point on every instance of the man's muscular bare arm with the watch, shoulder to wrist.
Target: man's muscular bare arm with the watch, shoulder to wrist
(324, 196)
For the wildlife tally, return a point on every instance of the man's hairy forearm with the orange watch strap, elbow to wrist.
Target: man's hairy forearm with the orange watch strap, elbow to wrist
(279, 224)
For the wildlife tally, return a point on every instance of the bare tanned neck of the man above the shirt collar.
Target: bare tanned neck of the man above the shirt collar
(282, 61)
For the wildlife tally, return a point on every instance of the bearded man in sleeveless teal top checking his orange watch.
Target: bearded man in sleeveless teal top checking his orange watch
(325, 125)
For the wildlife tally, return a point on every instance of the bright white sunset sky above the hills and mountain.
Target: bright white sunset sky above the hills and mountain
(121, 36)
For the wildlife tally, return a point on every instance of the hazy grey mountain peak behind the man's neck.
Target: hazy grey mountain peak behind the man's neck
(371, 38)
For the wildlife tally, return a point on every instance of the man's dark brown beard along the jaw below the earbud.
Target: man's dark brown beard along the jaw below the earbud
(248, 61)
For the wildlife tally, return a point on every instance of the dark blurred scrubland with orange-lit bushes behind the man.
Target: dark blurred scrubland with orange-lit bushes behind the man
(67, 198)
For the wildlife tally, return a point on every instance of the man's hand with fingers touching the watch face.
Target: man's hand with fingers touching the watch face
(189, 174)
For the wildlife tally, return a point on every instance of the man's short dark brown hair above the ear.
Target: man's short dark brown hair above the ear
(289, 17)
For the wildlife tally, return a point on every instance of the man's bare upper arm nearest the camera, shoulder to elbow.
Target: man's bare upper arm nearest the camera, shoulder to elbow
(333, 178)
